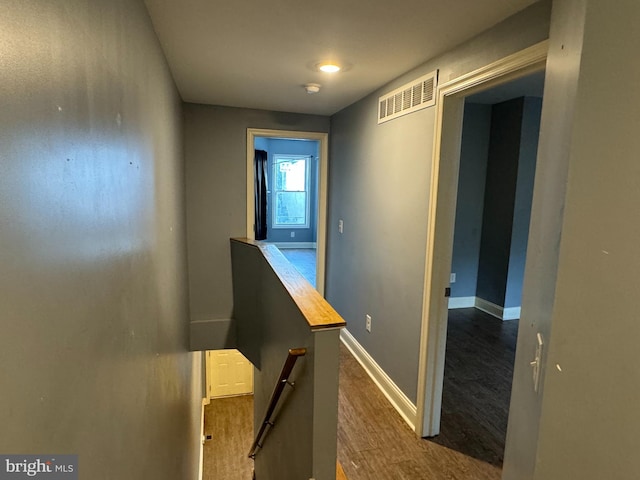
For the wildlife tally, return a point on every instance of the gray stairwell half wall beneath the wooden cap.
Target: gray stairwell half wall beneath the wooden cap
(306, 418)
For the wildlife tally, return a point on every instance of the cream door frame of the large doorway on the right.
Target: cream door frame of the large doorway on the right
(440, 228)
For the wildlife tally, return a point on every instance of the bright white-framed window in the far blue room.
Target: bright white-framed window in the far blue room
(290, 191)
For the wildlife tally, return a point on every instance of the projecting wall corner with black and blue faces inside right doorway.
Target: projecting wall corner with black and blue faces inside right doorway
(515, 126)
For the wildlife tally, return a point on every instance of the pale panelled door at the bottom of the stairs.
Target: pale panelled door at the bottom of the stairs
(228, 373)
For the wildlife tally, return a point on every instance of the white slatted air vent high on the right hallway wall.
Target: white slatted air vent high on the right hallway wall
(416, 95)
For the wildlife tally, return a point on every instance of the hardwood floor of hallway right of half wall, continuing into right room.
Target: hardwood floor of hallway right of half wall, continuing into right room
(375, 443)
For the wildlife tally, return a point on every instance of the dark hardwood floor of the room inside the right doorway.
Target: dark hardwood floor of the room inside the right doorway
(477, 384)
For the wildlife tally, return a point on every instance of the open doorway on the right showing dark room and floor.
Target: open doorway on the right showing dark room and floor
(498, 154)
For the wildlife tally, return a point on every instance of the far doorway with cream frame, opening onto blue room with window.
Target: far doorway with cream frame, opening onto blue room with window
(297, 169)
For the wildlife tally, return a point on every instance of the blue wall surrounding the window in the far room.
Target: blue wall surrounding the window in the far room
(276, 146)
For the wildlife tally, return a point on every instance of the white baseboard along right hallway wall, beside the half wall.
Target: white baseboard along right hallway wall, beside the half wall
(396, 397)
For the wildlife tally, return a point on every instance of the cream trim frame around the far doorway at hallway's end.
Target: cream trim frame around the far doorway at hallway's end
(321, 232)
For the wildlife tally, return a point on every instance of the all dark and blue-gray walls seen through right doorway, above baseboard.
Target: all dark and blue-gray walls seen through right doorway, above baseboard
(513, 130)
